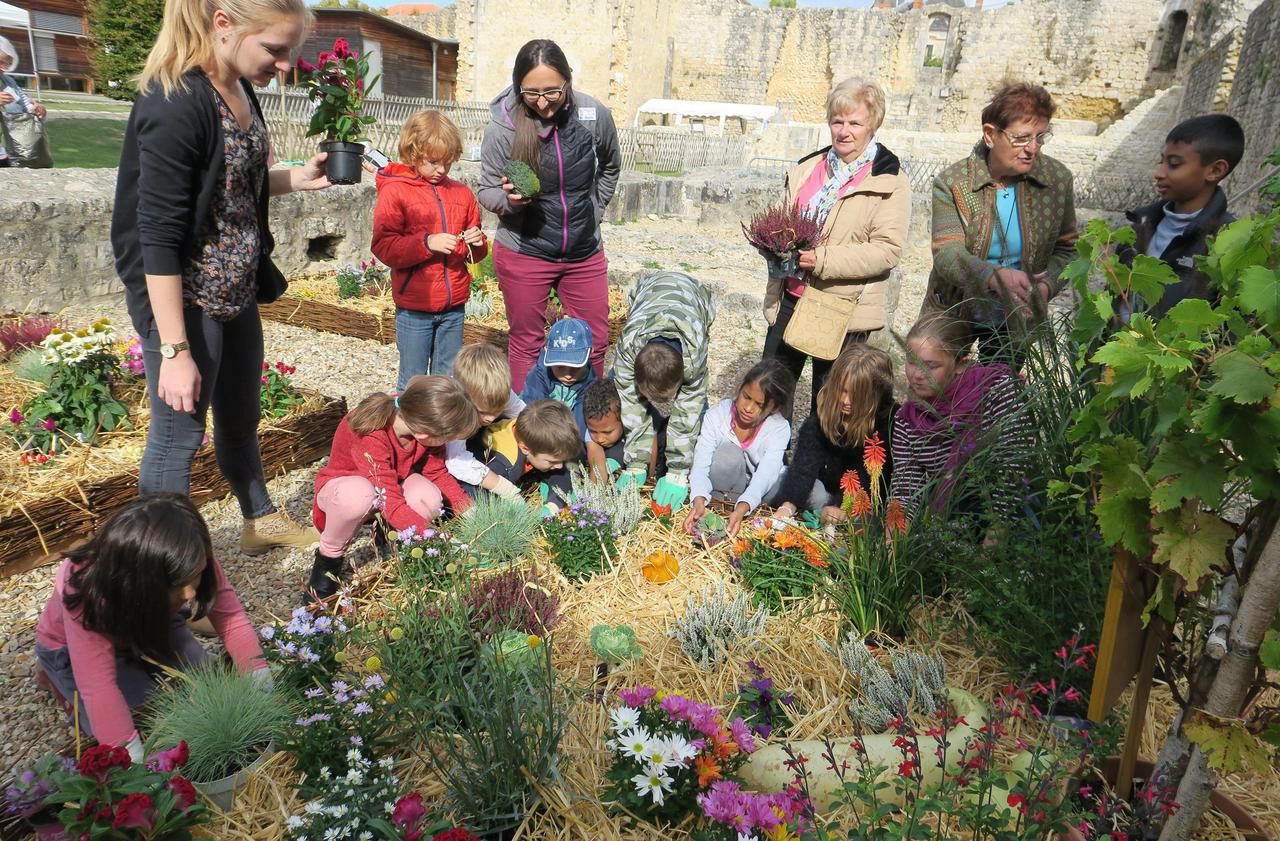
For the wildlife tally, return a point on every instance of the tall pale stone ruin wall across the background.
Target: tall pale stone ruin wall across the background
(1091, 54)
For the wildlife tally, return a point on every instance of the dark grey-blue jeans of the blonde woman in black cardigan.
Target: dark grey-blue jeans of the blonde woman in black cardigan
(230, 358)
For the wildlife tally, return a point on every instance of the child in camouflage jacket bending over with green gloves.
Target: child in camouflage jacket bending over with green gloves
(662, 364)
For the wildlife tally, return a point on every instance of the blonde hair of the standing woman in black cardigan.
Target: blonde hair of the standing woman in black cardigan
(186, 39)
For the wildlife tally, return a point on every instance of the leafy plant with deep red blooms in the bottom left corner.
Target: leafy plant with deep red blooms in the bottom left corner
(109, 798)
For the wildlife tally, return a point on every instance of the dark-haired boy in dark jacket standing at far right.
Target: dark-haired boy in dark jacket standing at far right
(1199, 154)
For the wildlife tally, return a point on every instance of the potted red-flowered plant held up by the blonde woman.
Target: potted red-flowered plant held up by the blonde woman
(337, 85)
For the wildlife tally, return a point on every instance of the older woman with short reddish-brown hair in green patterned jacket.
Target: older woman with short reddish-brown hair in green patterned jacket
(1004, 225)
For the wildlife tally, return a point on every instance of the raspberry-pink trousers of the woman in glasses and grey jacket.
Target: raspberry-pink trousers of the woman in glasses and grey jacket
(527, 284)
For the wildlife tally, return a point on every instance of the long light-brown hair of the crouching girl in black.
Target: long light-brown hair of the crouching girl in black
(867, 374)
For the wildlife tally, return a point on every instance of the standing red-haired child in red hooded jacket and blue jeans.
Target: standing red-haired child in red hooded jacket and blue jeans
(427, 228)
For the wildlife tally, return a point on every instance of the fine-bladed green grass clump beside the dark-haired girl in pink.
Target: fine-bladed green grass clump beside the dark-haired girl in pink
(226, 717)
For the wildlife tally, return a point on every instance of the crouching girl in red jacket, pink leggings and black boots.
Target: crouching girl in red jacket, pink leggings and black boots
(388, 456)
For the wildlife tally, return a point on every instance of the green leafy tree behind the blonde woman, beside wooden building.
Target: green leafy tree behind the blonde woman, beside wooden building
(122, 34)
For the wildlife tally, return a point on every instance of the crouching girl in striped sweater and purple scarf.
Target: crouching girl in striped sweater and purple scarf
(957, 410)
